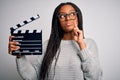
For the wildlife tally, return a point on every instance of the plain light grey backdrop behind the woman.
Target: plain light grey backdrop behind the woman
(101, 20)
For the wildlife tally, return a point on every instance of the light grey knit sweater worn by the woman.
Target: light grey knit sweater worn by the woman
(72, 63)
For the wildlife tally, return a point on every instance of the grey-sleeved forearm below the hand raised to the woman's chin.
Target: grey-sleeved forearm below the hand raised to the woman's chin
(90, 66)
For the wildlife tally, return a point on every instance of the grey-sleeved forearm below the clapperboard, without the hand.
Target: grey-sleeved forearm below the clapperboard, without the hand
(25, 69)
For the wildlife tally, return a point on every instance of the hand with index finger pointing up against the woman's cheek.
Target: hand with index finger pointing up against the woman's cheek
(78, 37)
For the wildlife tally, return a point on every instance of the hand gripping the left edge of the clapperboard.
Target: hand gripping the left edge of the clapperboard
(12, 45)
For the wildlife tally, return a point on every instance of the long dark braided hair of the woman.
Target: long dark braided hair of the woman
(55, 39)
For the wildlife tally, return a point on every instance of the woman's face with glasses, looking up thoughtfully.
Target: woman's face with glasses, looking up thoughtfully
(68, 18)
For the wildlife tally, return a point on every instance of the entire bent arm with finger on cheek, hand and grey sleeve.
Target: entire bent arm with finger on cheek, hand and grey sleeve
(89, 56)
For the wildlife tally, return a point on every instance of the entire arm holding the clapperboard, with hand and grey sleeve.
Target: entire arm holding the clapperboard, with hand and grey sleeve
(26, 70)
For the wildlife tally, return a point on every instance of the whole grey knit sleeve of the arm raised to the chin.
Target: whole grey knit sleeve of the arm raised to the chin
(90, 62)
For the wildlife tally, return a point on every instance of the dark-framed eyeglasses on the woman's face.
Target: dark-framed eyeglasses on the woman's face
(71, 15)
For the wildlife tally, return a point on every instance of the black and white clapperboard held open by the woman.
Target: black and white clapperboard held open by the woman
(30, 41)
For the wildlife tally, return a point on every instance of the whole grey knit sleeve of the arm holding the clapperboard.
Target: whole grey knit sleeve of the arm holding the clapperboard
(28, 70)
